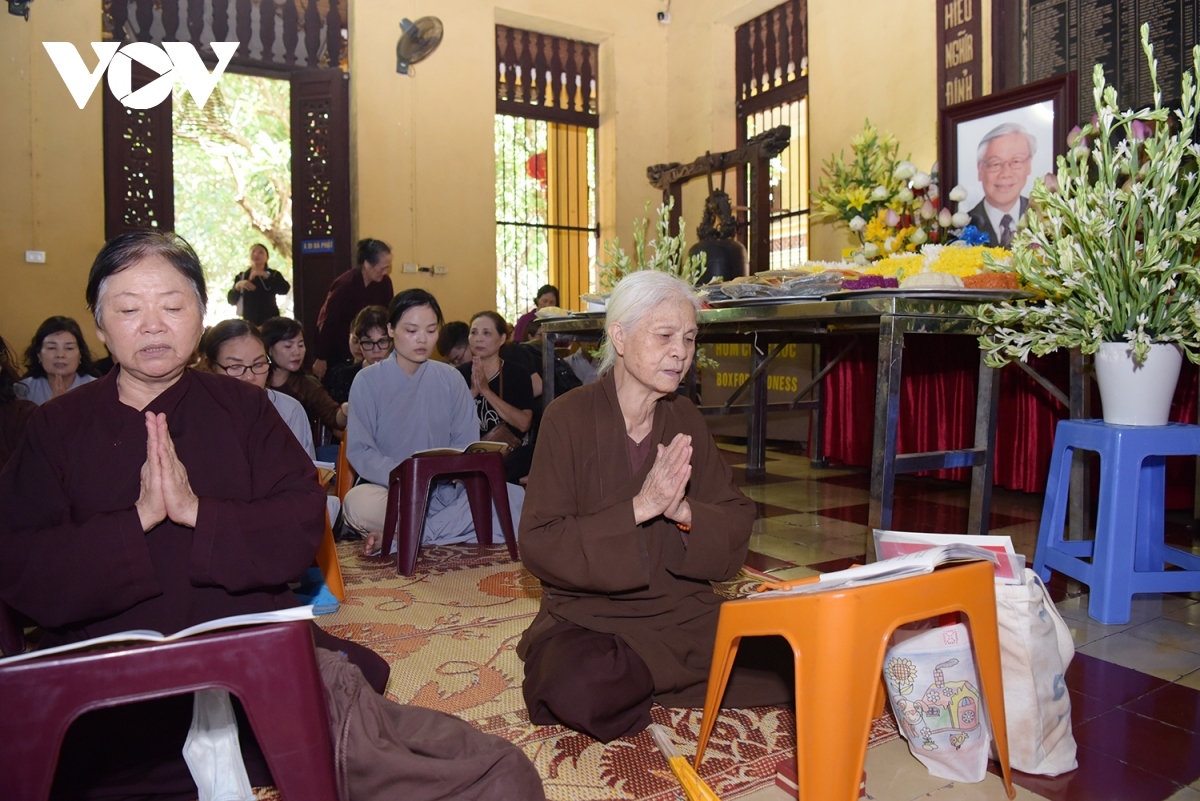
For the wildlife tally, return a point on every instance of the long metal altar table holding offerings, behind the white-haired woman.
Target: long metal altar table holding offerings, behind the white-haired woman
(772, 327)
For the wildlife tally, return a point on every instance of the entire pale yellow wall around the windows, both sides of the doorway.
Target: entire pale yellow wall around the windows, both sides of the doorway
(422, 146)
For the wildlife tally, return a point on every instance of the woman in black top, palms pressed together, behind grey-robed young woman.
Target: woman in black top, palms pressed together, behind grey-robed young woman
(503, 392)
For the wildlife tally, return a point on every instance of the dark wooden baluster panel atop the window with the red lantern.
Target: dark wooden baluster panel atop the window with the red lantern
(547, 77)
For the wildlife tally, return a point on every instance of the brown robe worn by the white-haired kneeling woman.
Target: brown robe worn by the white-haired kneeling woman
(602, 571)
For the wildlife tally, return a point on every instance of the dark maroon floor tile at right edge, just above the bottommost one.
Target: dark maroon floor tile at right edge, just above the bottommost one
(1151, 745)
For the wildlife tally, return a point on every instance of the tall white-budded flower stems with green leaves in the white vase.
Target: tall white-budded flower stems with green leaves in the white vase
(1111, 242)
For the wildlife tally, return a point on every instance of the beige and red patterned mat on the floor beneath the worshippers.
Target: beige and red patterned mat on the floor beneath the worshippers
(451, 633)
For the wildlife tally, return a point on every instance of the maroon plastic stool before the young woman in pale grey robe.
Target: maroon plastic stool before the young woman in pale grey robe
(409, 495)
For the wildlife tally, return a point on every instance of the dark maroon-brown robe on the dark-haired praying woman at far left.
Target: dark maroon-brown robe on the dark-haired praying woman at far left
(75, 559)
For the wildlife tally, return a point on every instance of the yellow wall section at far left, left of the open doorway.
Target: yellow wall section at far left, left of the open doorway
(51, 173)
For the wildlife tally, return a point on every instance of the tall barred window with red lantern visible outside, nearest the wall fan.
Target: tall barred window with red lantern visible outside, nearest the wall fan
(547, 121)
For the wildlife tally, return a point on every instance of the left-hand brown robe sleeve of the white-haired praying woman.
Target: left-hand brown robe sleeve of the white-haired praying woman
(574, 549)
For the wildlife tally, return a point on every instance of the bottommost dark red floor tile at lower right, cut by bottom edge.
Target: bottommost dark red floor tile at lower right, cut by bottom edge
(1099, 779)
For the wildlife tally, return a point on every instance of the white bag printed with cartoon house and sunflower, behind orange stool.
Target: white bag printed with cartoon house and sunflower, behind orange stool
(935, 696)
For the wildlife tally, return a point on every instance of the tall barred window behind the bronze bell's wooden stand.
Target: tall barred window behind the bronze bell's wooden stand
(773, 87)
